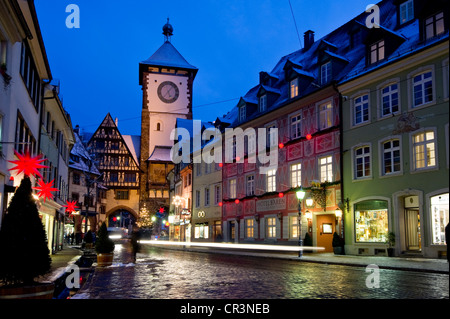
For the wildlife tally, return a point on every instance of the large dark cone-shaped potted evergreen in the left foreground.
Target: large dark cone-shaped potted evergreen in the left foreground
(24, 248)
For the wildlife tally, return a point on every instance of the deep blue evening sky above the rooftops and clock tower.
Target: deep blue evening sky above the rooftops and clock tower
(230, 41)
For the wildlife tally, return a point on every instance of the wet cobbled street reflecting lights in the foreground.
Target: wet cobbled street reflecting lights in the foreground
(174, 274)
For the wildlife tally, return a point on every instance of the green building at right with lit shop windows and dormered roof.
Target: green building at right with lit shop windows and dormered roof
(396, 140)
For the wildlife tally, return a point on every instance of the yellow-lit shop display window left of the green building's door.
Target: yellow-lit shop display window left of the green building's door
(371, 221)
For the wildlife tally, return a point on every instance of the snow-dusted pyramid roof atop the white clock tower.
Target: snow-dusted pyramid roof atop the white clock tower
(168, 56)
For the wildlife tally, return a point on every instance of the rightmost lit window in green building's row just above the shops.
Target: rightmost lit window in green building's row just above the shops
(424, 149)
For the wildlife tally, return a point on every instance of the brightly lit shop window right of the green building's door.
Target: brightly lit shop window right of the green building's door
(439, 215)
